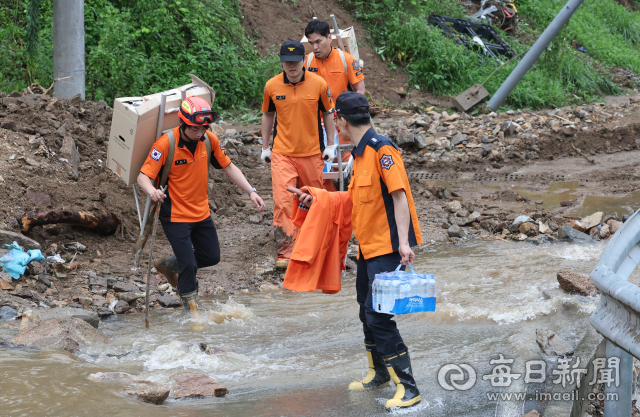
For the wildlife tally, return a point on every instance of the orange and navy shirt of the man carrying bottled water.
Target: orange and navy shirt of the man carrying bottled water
(378, 170)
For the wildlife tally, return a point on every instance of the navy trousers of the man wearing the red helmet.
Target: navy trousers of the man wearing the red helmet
(195, 246)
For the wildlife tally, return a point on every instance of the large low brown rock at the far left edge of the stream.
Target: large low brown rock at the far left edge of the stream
(68, 333)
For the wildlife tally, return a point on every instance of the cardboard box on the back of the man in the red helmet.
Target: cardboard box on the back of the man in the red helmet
(134, 124)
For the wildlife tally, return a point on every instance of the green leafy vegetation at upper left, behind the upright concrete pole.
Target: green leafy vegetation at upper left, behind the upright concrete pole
(141, 47)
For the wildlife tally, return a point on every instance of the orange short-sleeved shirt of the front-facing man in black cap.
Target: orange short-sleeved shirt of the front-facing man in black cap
(298, 108)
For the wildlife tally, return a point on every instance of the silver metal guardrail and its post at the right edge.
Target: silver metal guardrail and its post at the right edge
(617, 317)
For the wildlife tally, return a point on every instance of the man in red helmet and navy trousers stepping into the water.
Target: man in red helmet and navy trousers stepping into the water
(184, 213)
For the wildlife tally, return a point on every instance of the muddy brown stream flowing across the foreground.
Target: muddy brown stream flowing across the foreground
(289, 354)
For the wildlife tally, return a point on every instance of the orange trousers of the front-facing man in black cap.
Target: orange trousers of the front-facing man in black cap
(296, 172)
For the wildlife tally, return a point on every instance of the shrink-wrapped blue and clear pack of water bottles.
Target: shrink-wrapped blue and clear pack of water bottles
(401, 292)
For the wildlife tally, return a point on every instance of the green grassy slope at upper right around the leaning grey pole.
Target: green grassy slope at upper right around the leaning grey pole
(400, 33)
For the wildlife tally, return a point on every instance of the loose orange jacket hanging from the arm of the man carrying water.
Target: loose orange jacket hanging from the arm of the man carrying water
(317, 260)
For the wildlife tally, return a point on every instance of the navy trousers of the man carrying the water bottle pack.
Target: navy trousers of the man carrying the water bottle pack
(378, 328)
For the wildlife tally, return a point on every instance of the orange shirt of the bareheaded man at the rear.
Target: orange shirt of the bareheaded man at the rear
(332, 70)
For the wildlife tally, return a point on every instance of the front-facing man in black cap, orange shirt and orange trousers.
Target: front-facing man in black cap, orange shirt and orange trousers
(299, 98)
